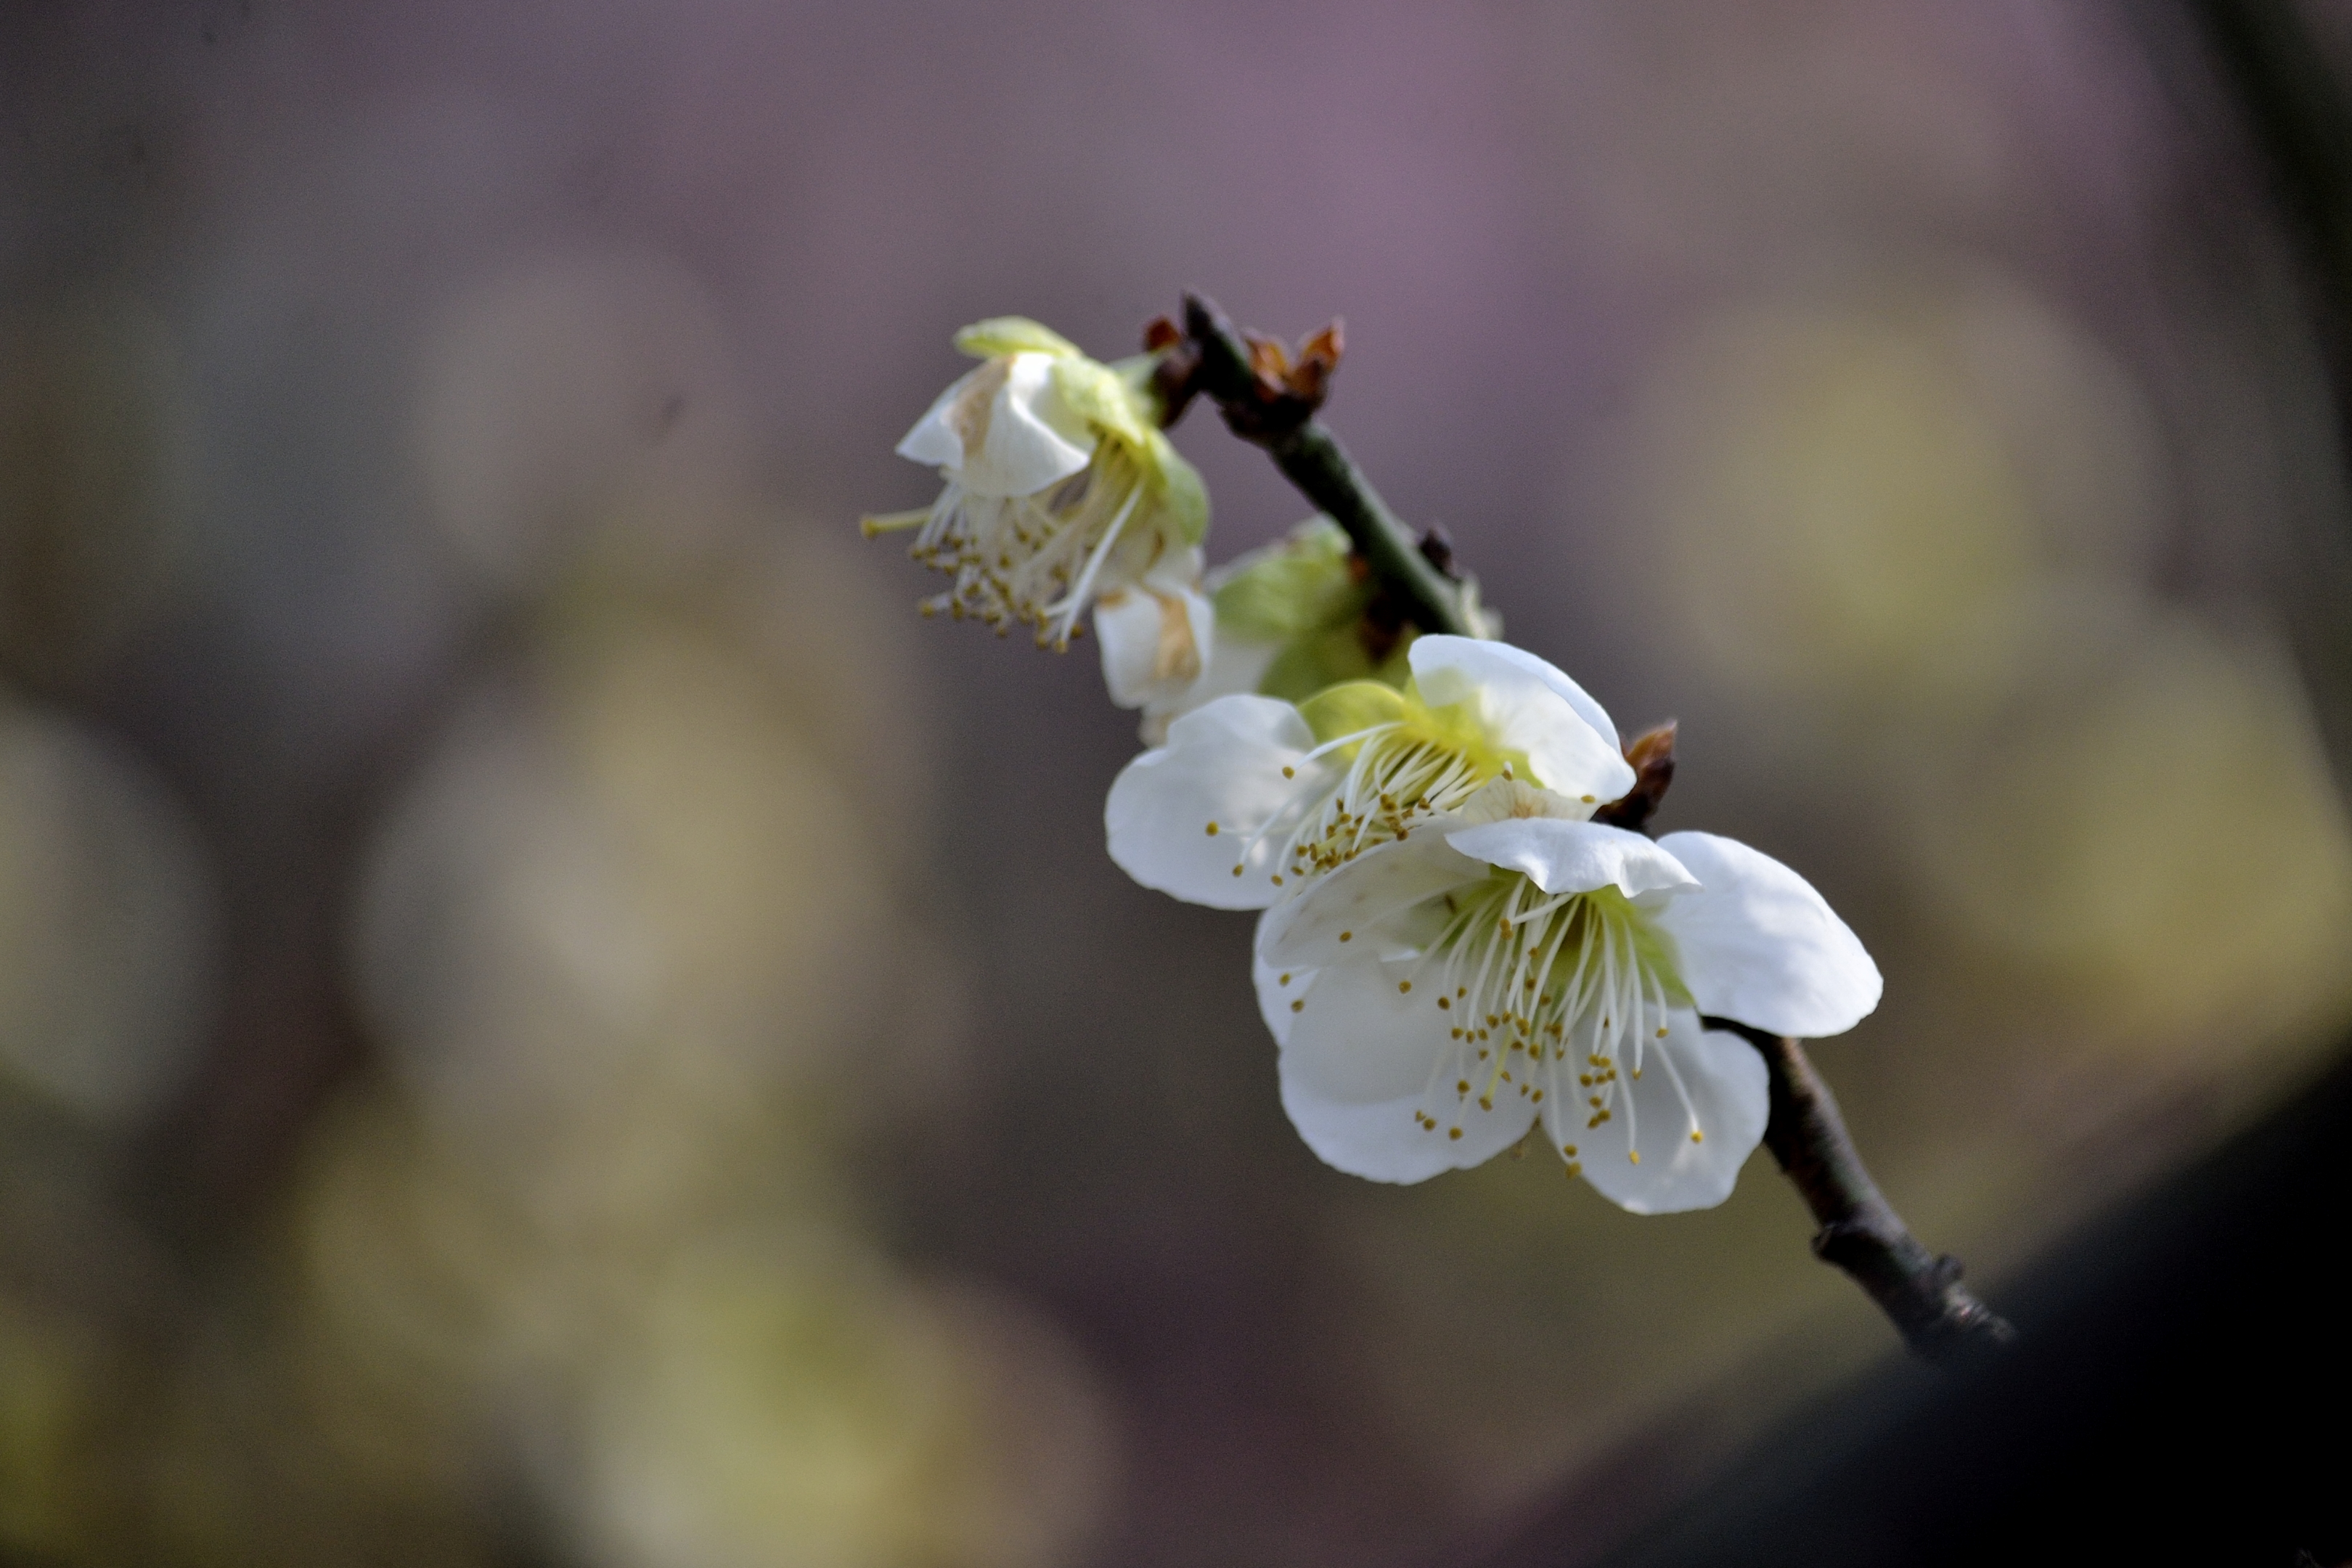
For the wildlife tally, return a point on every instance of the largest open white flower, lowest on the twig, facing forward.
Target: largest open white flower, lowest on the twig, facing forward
(1438, 998)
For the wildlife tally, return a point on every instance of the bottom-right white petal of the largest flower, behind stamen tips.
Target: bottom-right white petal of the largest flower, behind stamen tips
(1720, 1087)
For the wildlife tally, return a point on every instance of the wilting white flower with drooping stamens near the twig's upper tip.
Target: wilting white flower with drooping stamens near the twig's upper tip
(1060, 492)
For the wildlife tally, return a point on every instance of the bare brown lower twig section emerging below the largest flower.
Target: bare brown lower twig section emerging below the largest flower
(1859, 1231)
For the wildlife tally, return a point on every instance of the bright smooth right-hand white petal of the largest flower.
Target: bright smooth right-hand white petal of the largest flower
(1760, 946)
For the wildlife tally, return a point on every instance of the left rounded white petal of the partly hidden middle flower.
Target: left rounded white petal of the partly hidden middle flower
(1224, 765)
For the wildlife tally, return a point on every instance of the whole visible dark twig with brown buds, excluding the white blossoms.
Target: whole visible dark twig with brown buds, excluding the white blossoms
(1859, 1231)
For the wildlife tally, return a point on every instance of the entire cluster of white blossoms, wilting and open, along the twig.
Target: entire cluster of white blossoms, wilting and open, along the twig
(1450, 951)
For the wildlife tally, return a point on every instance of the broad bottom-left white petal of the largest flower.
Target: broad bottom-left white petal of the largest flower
(1363, 1059)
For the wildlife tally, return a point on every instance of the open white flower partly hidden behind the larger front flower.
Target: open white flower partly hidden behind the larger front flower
(1252, 798)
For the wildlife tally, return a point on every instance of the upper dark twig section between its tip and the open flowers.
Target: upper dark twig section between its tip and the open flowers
(1311, 457)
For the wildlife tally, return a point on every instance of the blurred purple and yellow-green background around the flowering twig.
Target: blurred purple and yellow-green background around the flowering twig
(547, 1019)
